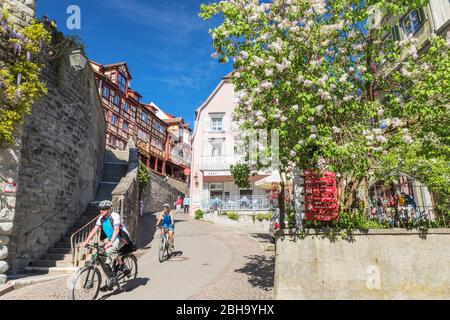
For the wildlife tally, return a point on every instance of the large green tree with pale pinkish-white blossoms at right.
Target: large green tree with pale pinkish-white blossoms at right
(345, 97)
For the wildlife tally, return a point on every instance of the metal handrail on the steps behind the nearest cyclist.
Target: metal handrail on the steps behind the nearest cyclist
(81, 235)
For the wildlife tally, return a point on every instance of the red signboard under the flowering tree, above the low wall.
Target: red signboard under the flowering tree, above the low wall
(320, 196)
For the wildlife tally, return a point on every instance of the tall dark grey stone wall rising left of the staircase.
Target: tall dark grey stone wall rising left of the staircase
(63, 145)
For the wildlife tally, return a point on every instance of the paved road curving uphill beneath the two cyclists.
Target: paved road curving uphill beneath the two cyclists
(214, 262)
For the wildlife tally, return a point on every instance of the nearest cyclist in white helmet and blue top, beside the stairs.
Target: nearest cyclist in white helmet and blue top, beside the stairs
(116, 235)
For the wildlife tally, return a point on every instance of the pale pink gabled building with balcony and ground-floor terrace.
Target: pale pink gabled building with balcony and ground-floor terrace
(213, 152)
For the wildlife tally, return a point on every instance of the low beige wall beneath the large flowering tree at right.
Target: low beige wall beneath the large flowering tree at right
(382, 264)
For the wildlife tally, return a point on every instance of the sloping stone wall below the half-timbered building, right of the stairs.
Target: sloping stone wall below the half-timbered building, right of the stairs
(158, 192)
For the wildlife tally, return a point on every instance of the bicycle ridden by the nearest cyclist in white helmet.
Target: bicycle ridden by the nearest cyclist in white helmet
(87, 281)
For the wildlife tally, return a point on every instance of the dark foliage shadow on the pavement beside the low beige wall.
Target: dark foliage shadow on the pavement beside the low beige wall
(260, 270)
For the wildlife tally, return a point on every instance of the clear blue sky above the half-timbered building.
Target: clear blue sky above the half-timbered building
(166, 45)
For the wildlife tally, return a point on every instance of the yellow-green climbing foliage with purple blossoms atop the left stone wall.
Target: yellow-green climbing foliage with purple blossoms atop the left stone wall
(20, 85)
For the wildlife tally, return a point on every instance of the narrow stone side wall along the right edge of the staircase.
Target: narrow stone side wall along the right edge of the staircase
(127, 193)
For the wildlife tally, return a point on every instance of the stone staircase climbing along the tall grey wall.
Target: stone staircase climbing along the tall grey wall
(58, 259)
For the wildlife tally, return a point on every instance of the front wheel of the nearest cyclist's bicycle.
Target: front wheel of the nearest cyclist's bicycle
(86, 284)
